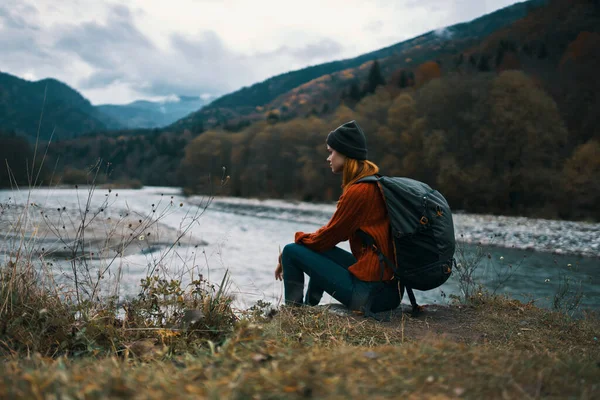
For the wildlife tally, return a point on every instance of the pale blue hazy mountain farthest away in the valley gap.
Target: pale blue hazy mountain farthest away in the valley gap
(148, 114)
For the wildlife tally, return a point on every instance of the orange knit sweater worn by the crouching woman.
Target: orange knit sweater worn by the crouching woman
(361, 206)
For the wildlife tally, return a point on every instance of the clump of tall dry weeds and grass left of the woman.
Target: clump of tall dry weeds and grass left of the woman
(166, 317)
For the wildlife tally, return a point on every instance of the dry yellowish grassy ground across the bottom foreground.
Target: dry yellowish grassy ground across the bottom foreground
(496, 349)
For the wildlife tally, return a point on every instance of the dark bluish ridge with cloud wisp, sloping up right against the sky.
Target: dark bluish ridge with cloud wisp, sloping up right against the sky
(249, 103)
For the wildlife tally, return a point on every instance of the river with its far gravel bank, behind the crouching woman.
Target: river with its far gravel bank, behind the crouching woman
(528, 259)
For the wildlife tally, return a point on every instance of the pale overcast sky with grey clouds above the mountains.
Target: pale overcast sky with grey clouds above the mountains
(120, 51)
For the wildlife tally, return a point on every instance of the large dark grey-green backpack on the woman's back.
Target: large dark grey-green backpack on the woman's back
(423, 234)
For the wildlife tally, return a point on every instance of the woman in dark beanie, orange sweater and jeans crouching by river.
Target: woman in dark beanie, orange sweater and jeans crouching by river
(354, 279)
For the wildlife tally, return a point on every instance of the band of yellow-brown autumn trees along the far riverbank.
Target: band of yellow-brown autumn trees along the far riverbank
(491, 143)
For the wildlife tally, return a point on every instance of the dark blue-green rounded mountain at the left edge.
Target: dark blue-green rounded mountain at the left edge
(64, 111)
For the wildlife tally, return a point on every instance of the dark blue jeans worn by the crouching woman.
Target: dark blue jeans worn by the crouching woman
(328, 271)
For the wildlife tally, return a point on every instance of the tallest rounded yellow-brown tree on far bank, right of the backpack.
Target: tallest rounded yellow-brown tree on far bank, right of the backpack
(523, 141)
